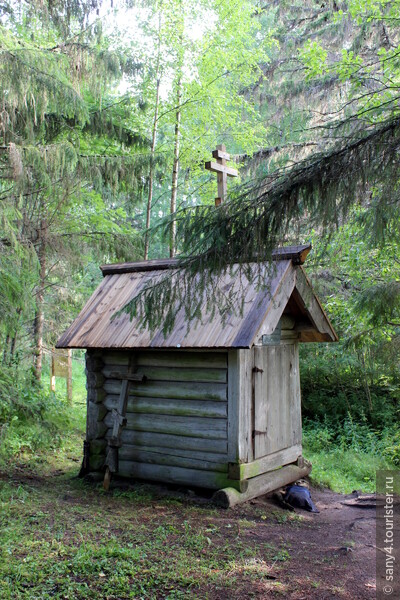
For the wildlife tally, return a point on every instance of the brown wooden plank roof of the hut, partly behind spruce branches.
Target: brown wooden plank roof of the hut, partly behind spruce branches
(261, 308)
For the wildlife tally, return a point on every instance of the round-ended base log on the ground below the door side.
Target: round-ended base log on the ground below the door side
(263, 484)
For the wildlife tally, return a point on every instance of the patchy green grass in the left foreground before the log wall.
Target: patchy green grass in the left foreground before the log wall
(70, 540)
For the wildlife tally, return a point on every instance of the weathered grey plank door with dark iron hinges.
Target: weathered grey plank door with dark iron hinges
(277, 404)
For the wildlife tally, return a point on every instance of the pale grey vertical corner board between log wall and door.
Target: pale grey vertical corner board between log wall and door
(239, 405)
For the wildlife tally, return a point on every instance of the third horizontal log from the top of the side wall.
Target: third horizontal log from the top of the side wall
(177, 390)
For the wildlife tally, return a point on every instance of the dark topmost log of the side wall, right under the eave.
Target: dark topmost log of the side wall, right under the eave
(168, 358)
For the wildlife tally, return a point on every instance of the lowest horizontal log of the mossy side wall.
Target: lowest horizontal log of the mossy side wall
(178, 475)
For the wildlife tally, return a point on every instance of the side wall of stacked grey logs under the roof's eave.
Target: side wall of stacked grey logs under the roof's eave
(176, 427)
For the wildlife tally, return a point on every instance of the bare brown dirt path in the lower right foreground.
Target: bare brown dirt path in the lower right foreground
(332, 554)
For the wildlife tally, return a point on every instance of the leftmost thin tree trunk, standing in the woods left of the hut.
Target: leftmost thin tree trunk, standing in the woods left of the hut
(39, 314)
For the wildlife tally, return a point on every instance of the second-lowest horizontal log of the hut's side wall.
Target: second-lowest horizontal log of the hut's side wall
(153, 457)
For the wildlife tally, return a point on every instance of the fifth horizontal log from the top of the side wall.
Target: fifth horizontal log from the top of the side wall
(187, 427)
